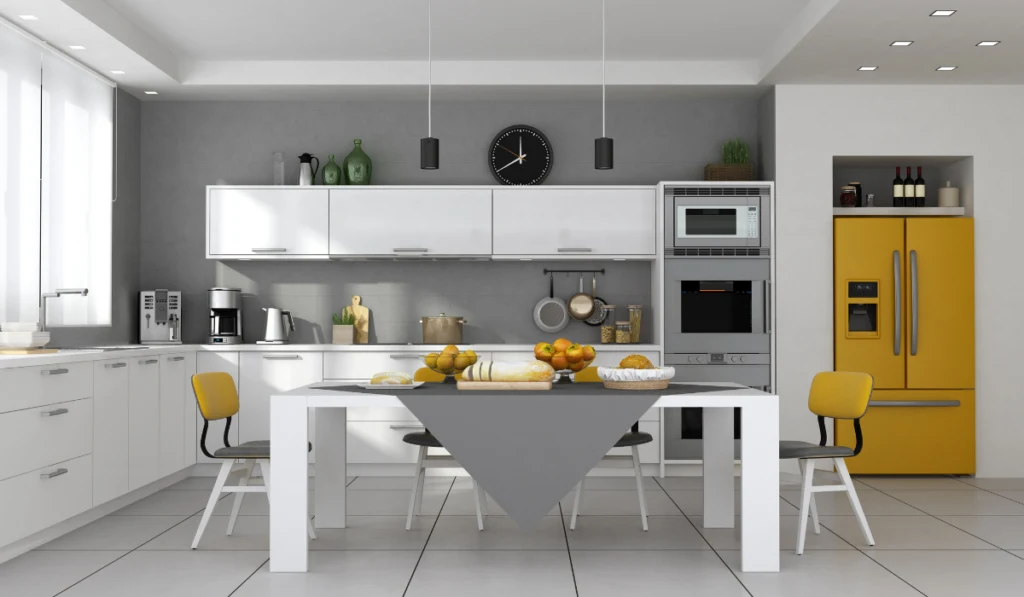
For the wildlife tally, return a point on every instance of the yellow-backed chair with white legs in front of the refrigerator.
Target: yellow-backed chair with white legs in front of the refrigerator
(837, 396)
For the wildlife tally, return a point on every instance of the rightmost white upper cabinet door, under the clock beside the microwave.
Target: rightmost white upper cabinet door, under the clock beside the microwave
(575, 223)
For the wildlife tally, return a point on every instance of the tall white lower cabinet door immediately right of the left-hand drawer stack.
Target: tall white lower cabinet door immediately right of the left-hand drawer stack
(110, 431)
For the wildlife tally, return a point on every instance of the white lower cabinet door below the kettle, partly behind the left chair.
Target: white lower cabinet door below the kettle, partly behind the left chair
(265, 374)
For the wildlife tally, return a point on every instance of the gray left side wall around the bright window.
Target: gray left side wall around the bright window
(125, 244)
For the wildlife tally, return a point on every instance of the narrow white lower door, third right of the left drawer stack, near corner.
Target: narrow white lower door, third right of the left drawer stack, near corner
(173, 414)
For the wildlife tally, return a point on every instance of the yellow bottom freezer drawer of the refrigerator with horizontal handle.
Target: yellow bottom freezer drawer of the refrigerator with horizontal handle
(928, 437)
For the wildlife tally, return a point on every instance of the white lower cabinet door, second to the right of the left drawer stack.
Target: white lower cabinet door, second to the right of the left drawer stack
(144, 421)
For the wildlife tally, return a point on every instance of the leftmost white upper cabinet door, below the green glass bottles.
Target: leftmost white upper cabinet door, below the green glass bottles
(281, 223)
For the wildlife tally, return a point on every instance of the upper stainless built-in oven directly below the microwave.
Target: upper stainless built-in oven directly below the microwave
(715, 305)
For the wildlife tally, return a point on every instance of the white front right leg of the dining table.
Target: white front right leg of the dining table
(760, 488)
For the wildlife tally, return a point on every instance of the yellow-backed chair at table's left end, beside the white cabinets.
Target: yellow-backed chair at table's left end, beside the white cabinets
(219, 400)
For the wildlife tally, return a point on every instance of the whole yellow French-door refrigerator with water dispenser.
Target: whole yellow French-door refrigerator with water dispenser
(905, 313)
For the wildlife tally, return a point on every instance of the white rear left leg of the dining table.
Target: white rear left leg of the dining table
(332, 425)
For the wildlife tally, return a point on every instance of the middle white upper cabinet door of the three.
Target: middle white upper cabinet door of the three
(414, 223)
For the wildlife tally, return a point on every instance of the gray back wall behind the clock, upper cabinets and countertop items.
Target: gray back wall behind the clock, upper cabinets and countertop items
(190, 145)
